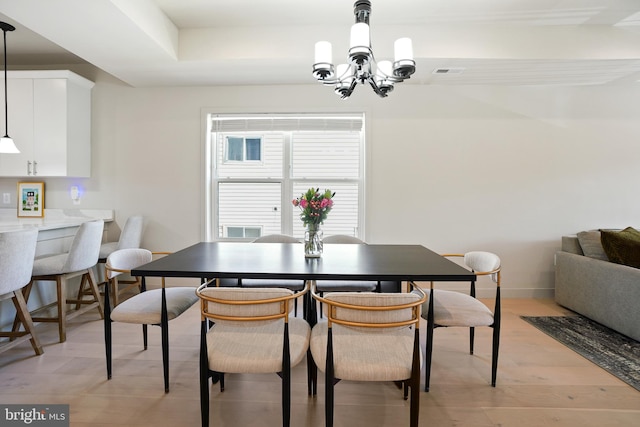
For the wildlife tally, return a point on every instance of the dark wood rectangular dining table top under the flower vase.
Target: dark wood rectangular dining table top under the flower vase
(287, 261)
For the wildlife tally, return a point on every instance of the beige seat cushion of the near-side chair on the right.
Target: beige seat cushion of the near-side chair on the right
(381, 355)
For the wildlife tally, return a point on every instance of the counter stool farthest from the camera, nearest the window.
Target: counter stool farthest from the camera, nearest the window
(130, 237)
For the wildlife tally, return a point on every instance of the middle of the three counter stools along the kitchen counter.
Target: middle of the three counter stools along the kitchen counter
(59, 268)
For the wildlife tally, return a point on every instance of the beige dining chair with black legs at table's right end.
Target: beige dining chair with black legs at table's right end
(449, 309)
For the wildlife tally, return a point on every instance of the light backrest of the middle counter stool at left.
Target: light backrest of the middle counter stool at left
(85, 247)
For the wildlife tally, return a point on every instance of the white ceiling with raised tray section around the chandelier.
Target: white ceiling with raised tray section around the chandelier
(222, 42)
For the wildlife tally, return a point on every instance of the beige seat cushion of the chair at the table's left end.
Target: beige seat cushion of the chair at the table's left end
(145, 307)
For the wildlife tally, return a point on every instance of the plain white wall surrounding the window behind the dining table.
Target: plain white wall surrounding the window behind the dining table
(504, 169)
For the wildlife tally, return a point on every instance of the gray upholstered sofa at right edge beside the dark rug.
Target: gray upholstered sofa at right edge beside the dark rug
(603, 291)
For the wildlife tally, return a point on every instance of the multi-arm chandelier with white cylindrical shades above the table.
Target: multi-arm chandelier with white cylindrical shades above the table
(362, 66)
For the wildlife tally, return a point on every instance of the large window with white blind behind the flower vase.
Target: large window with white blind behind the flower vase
(256, 164)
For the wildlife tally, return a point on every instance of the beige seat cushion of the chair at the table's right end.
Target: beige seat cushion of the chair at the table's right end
(457, 309)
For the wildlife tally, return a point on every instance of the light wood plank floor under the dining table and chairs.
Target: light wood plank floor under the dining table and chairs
(540, 382)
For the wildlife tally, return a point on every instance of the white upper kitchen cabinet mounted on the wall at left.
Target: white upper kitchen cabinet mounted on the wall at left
(50, 123)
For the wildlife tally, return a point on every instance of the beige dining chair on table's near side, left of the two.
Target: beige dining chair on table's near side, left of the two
(252, 332)
